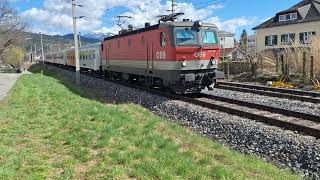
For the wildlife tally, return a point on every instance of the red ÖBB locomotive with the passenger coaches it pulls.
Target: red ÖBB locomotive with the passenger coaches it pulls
(178, 55)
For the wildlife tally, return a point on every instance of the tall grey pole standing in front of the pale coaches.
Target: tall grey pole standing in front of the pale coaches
(76, 46)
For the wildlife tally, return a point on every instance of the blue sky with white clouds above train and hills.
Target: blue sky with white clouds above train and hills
(53, 16)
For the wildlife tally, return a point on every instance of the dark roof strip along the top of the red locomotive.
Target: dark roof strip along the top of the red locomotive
(163, 24)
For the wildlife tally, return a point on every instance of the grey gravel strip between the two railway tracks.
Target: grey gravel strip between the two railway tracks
(294, 105)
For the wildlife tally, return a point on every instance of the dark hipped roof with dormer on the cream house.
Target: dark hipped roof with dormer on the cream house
(308, 11)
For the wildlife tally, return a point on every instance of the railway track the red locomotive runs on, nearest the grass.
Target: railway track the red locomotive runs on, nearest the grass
(304, 123)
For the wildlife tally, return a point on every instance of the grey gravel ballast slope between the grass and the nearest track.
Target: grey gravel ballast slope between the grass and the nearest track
(285, 149)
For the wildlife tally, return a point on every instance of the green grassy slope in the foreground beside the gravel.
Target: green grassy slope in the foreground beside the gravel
(49, 131)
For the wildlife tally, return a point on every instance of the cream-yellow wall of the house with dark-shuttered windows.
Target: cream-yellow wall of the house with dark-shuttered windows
(293, 28)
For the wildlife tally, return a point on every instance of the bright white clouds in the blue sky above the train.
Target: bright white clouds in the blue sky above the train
(55, 15)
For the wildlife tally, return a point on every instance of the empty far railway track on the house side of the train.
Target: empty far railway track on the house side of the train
(304, 96)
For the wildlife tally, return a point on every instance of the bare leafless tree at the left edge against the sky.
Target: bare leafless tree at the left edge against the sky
(11, 28)
